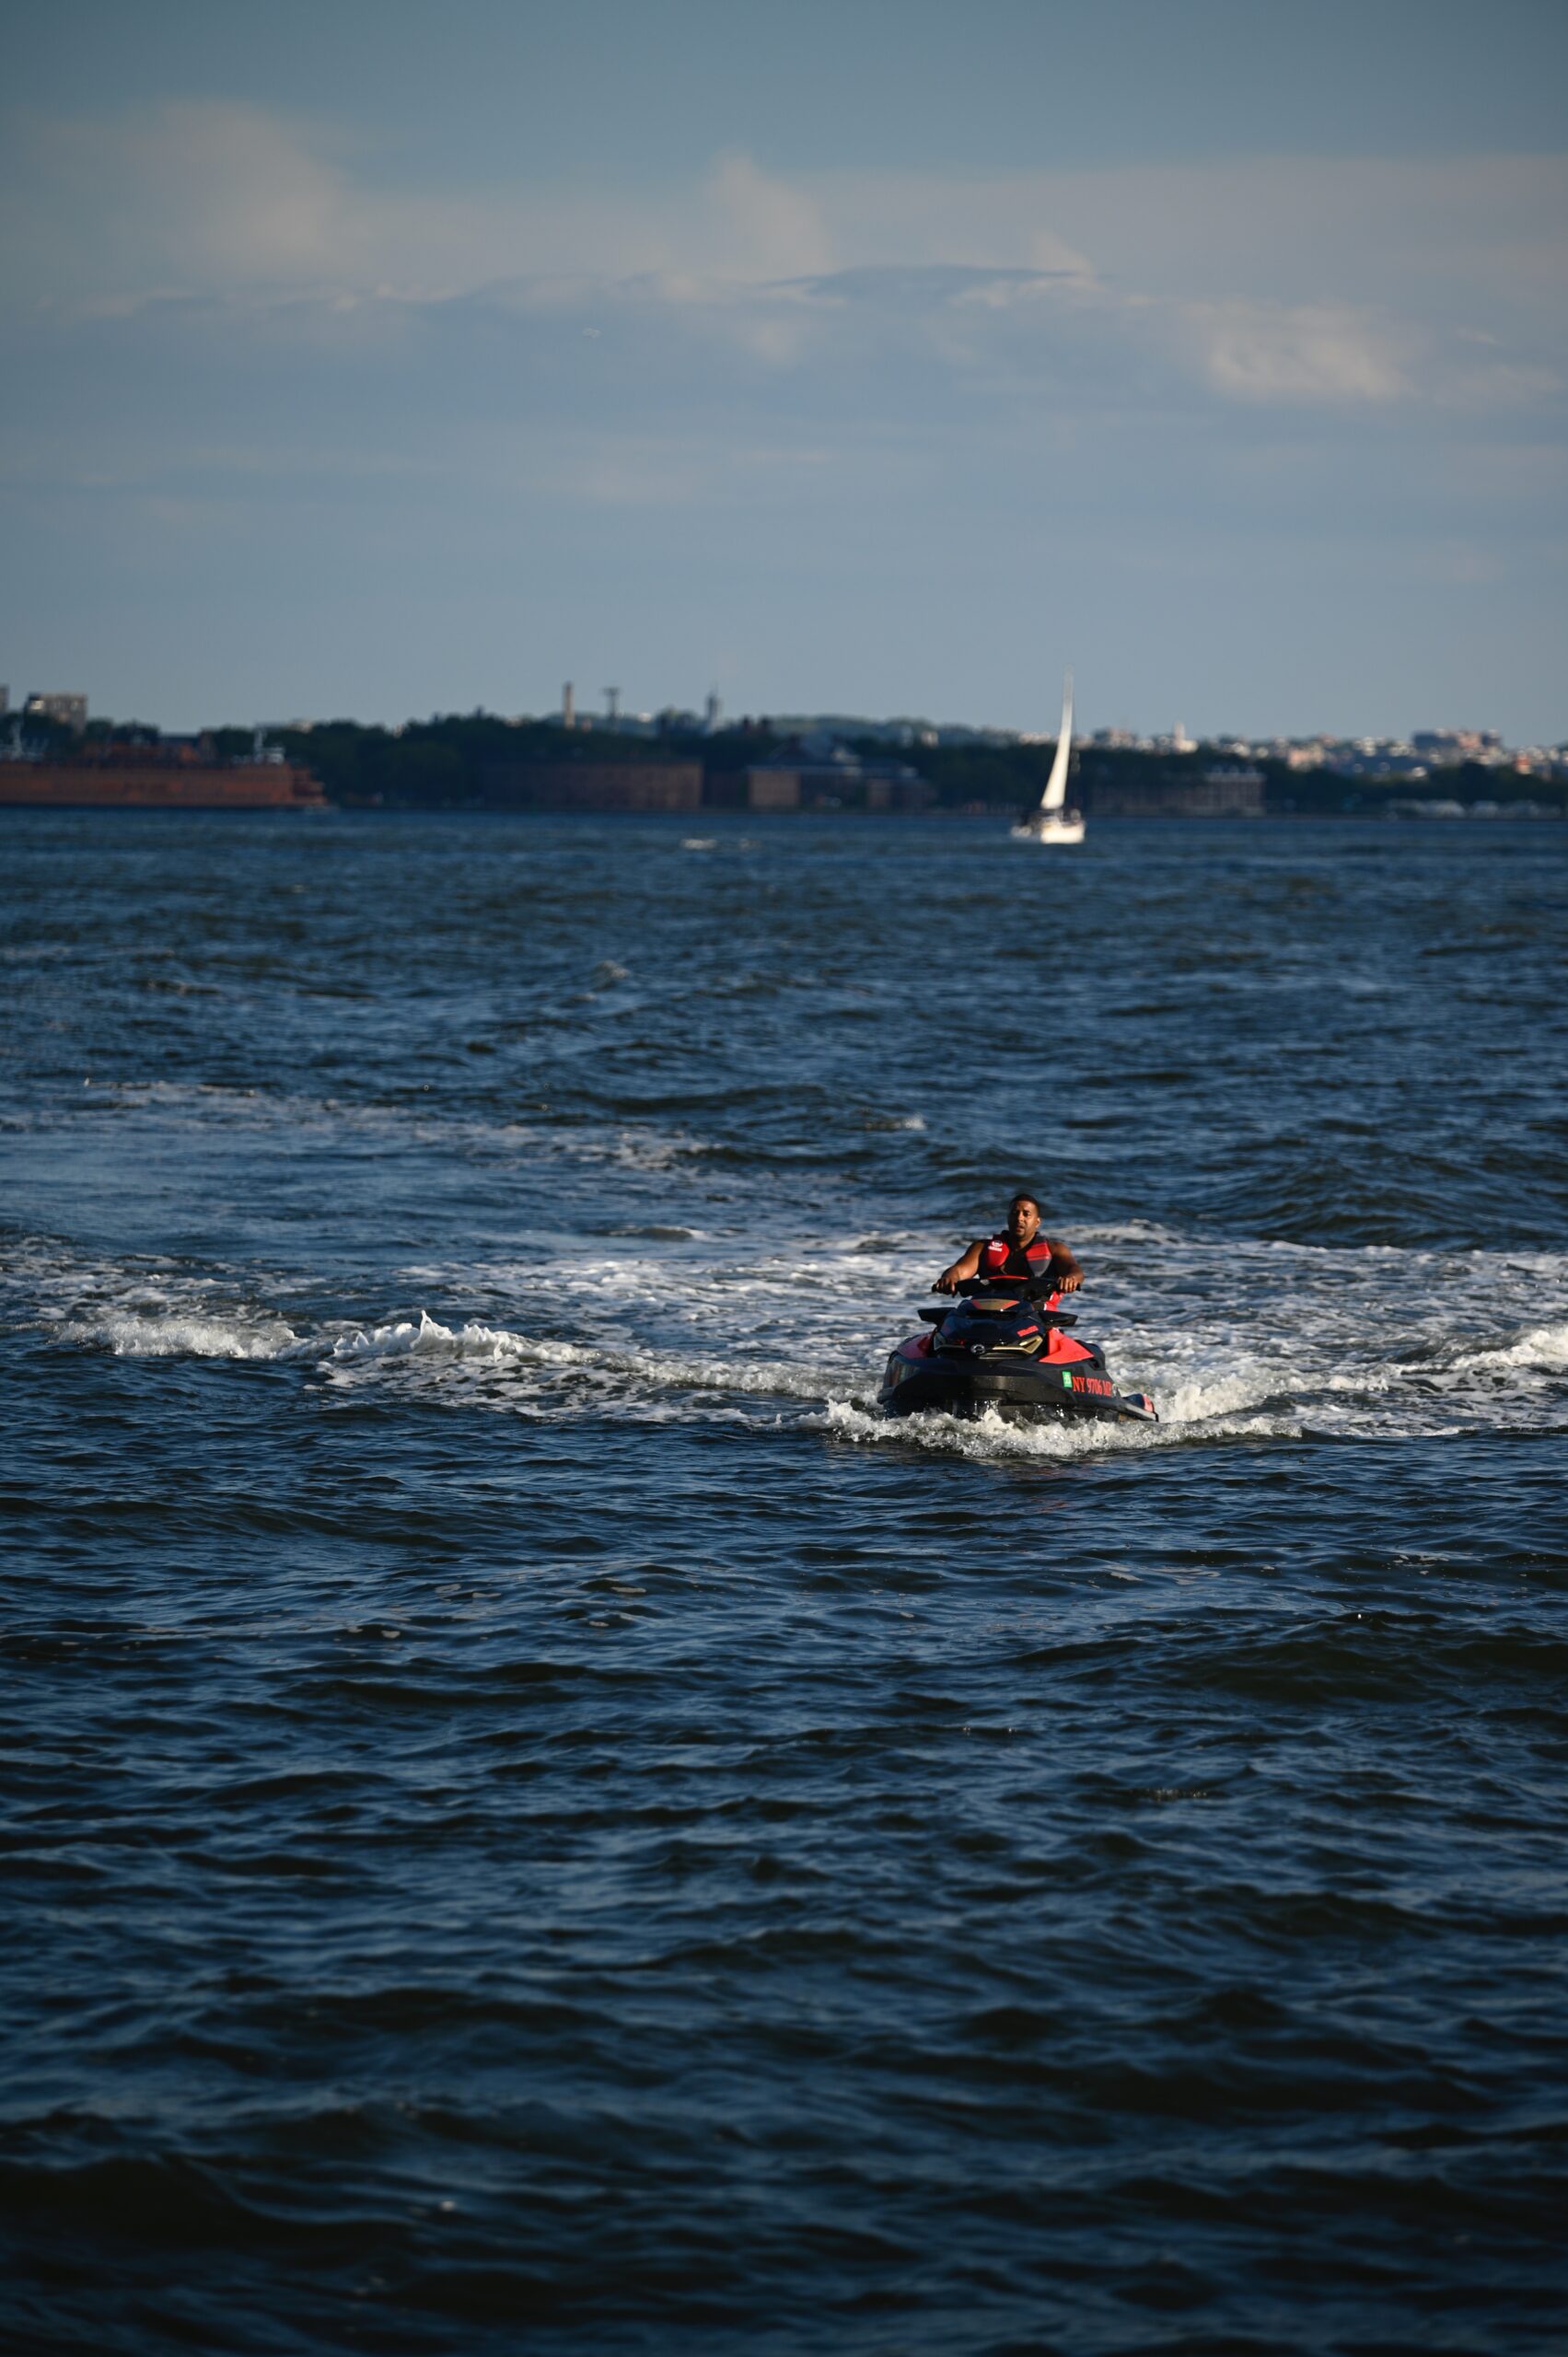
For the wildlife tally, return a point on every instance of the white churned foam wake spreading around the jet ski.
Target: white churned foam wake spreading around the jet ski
(1232, 1340)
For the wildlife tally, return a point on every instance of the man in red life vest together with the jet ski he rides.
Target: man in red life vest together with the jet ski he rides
(1006, 1349)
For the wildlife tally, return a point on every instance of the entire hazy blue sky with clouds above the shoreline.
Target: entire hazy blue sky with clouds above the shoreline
(874, 357)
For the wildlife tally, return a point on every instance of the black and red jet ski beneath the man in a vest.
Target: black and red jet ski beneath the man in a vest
(1006, 1349)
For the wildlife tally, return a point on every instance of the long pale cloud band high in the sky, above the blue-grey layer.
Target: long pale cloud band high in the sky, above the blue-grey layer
(213, 194)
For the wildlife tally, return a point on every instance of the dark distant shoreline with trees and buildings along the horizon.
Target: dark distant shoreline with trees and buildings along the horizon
(756, 767)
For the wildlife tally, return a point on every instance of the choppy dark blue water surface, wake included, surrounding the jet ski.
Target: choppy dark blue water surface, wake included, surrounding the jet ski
(534, 1821)
